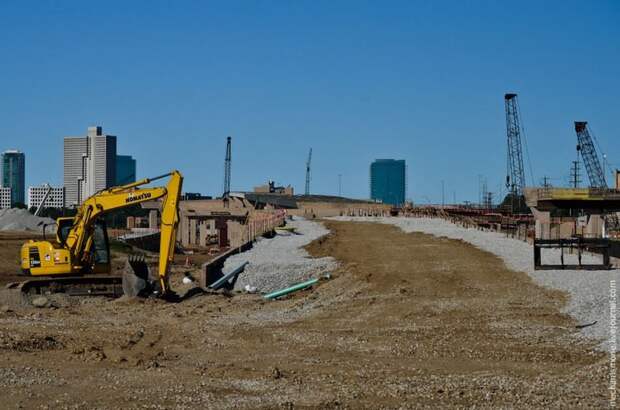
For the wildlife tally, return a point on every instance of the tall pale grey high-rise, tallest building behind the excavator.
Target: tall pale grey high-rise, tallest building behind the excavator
(89, 165)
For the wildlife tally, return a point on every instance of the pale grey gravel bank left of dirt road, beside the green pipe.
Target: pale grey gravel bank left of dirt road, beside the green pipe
(280, 261)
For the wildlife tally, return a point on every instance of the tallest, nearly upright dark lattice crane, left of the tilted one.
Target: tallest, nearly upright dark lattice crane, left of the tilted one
(515, 175)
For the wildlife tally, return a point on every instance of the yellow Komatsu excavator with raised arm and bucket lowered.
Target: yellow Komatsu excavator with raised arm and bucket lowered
(77, 261)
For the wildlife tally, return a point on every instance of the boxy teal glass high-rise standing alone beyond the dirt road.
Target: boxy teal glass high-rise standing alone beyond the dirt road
(388, 181)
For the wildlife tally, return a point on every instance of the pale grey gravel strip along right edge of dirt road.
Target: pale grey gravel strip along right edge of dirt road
(589, 290)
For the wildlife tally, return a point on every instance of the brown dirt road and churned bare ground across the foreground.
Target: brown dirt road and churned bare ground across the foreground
(409, 321)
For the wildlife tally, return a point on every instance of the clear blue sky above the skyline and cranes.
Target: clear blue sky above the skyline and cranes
(356, 80)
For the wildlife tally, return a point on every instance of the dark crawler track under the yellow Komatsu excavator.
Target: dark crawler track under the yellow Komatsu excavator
(96, 285)
